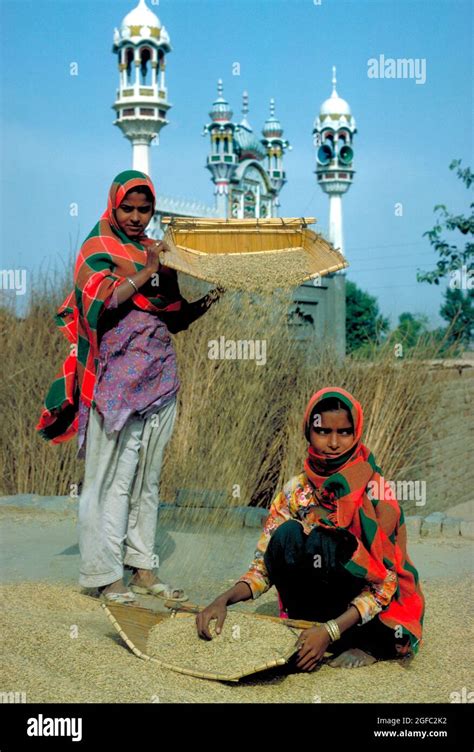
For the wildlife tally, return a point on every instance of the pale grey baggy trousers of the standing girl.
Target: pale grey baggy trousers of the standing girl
(118, 506)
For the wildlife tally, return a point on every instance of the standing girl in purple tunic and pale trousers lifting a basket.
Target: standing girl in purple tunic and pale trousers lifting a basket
(118, 388)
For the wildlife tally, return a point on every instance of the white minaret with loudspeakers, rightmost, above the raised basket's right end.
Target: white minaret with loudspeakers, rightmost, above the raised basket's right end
(333, 130)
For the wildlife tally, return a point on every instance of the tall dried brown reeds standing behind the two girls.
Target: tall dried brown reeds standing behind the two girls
(245, 381)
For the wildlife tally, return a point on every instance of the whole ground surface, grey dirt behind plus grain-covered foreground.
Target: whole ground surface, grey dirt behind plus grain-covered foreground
(58, 645)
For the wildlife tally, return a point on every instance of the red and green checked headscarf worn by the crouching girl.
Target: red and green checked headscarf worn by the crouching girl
(342, 487)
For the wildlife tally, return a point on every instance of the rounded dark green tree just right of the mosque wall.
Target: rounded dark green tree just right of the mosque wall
(364, 323)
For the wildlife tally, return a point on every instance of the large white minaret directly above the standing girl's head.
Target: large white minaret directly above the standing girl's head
(141, 45)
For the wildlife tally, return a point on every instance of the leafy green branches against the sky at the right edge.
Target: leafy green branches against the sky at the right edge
(452, 260)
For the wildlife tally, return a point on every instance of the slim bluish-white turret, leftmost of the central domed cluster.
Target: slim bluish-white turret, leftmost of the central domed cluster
(222, 158)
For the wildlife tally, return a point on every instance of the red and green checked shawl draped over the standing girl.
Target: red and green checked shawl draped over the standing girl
(105, 259)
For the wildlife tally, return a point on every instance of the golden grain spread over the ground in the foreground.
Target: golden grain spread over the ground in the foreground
(58, 646)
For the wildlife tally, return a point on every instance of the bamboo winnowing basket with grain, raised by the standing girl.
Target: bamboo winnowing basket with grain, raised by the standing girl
(249, 254)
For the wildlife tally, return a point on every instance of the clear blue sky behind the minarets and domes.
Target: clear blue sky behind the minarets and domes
(59, 145)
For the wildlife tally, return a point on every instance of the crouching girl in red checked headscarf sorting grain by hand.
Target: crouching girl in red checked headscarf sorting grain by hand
(335, 552)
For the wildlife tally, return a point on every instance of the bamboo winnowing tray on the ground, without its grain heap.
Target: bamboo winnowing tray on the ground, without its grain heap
(133, 623)
